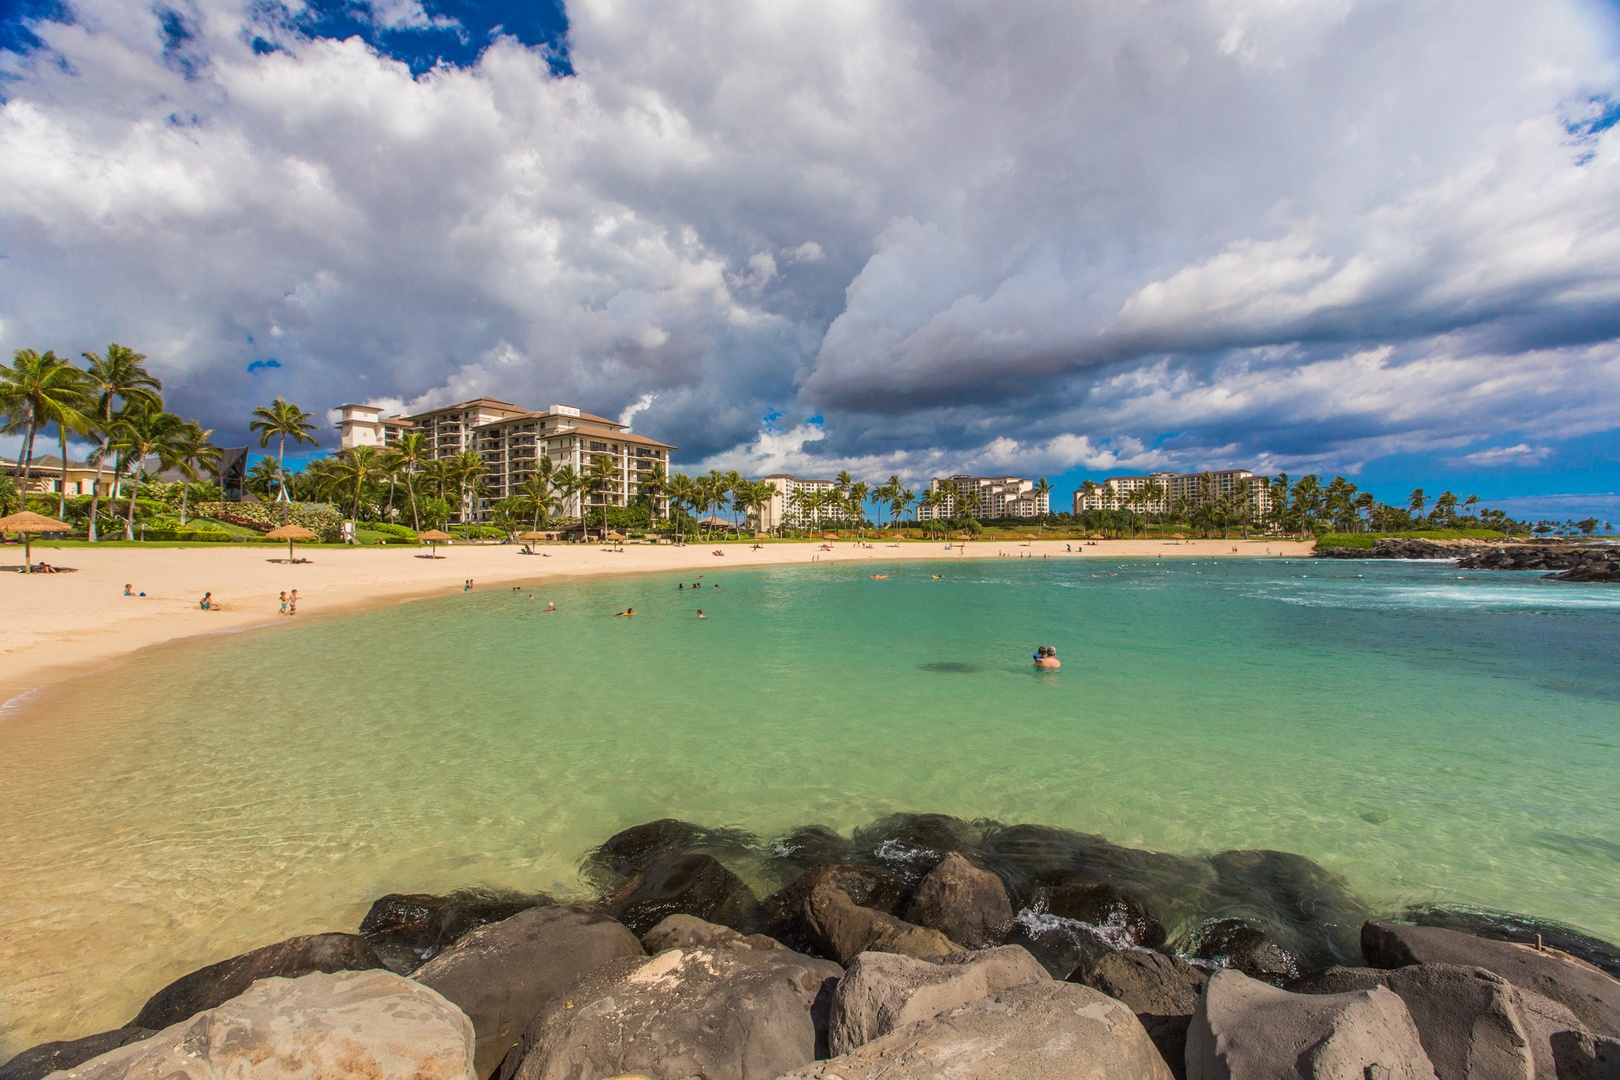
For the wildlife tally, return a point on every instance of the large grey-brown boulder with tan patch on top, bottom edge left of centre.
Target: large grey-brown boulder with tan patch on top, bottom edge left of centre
(686, 1013)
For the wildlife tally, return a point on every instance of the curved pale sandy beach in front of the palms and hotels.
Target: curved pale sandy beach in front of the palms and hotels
(69, 624)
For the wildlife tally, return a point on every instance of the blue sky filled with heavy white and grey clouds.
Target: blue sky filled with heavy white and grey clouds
(1376, 239)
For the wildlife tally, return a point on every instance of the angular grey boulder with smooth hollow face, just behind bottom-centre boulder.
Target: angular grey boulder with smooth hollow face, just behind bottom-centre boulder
(884, 992)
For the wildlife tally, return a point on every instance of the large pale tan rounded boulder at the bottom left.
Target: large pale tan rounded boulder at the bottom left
(352, 1024)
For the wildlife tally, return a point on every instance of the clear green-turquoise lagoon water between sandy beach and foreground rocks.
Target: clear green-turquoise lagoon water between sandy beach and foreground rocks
(1428, 738)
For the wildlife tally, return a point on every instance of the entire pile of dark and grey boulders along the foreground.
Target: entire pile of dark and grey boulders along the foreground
(923, 946)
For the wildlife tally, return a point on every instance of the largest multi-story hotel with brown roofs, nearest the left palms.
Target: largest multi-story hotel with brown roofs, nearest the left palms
(511, 440)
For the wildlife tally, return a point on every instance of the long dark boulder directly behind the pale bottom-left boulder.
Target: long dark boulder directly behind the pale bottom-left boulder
(221, 982)
